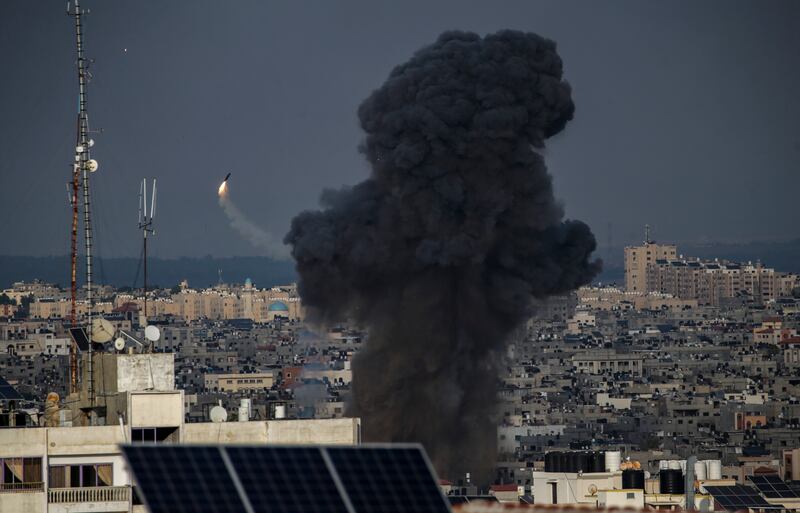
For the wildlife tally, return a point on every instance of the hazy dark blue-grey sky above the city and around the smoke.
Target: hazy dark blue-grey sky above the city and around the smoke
(687, 113)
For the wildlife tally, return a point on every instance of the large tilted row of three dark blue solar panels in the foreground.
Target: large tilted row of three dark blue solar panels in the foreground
(285, 479)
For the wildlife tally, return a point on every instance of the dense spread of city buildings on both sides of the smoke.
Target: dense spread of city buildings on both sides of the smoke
(644, 380)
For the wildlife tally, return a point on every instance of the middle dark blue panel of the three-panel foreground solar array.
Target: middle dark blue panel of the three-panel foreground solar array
(286, 479)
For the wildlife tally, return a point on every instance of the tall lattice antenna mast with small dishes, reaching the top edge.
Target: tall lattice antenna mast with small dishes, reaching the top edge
(82, 167)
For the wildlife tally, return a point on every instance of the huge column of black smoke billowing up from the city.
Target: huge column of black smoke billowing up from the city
(443, 250)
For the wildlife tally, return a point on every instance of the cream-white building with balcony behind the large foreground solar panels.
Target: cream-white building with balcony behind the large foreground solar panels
(77, 469)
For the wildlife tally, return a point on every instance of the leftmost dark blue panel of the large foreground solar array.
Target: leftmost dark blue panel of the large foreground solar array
(183, 479)
